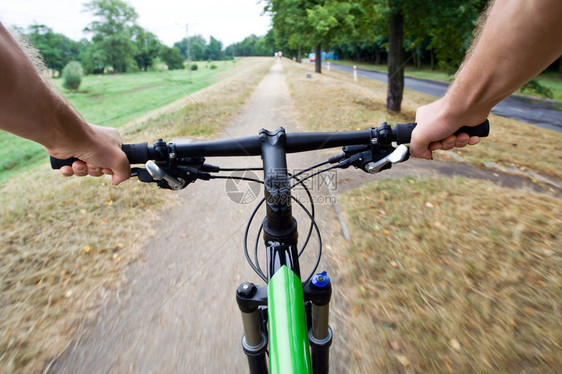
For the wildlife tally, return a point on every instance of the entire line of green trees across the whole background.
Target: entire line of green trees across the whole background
(397, 32)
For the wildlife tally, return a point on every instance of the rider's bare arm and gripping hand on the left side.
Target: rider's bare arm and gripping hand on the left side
(30, 108)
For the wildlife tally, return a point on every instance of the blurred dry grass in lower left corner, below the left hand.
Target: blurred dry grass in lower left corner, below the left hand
(63, 244)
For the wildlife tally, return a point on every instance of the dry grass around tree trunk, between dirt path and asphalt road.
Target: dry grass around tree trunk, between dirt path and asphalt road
(332, 101)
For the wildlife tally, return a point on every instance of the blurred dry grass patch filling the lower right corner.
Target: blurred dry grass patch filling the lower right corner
(455, 276)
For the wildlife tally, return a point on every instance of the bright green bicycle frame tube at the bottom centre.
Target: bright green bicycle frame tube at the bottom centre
(288, 336)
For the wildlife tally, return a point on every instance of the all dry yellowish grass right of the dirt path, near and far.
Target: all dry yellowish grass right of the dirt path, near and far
(444, 275)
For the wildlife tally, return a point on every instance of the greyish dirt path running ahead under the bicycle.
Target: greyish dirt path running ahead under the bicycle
(177, 312)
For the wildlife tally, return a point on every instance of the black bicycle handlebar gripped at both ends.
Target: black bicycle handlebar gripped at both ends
(251, 146)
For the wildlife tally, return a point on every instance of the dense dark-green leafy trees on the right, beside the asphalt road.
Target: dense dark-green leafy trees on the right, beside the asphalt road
(439, 30)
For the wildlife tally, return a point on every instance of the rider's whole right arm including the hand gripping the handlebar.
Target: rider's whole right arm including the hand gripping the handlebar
(520, 38)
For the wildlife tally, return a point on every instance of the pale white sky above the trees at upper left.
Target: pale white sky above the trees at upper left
(229, 21)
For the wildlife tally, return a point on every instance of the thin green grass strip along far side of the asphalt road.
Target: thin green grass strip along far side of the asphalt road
(550, 80)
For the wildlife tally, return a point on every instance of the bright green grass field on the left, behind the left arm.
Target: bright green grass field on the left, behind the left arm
(110, 100)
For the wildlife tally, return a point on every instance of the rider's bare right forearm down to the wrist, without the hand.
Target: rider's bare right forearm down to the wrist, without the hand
(520, 39)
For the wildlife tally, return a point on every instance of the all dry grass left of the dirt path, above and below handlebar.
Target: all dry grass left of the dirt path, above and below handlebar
(64, 242)
